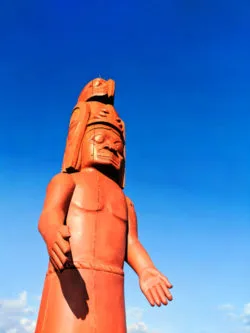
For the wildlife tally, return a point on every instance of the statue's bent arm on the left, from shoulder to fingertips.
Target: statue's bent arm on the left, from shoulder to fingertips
(51, 222)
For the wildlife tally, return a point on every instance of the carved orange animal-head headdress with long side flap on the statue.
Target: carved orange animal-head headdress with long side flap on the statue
(94, 106)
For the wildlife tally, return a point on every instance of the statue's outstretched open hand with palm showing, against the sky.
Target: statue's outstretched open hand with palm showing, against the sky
(155, 287)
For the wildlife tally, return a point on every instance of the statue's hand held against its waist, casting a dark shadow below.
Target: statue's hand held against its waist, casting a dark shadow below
(58, 246)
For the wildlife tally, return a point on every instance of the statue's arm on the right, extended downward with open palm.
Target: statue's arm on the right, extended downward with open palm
(154, 285)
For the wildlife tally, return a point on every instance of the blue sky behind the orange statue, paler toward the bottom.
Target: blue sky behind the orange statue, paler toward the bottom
(182, 77)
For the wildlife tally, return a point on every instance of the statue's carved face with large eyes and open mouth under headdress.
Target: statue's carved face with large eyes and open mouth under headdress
(102, 145)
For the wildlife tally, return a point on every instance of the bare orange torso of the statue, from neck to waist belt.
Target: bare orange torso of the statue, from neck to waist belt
(97, 218)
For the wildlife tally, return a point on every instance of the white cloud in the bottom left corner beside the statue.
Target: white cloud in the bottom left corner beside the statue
(16, 315)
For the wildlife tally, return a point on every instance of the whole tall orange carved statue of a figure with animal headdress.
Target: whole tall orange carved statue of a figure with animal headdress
(90, 226)
